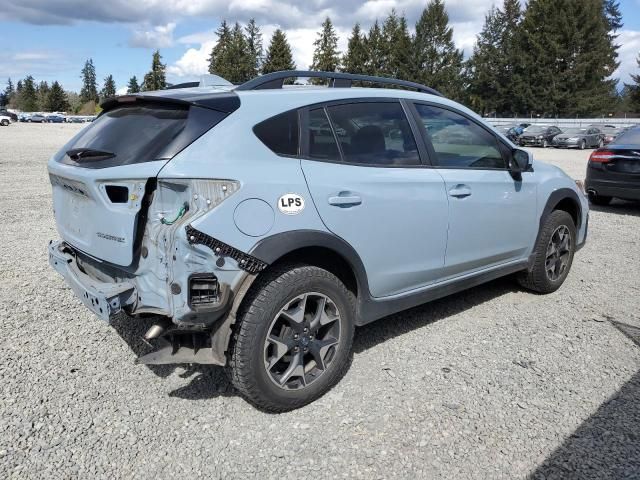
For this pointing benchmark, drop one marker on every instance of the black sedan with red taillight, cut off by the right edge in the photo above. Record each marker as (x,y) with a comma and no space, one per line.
(614,171)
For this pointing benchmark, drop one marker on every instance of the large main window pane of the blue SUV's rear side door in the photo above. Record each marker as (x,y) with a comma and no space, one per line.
(374,134)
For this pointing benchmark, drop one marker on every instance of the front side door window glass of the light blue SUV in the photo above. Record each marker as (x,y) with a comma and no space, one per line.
(458,142)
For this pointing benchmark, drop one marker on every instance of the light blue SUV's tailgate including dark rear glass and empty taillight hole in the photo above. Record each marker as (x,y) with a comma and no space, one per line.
(100,177)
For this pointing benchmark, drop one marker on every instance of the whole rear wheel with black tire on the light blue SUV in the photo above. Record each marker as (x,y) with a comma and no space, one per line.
(292,342)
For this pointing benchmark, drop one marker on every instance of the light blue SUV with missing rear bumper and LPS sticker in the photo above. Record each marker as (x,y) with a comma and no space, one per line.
(262,224)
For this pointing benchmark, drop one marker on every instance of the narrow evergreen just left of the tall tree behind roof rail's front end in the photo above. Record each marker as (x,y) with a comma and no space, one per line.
(396,47)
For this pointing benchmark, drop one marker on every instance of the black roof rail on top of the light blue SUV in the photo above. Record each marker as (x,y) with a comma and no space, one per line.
(276,80)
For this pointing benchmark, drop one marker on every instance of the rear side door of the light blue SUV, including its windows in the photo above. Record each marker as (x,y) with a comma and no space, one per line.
(365,175)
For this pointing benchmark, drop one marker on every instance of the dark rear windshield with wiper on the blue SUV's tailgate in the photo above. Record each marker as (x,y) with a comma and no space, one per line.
(138,132)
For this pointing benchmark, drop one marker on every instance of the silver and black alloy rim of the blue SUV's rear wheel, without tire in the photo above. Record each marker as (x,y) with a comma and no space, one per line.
(302,341)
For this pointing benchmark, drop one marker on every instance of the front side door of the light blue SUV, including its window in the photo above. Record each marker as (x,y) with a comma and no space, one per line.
(492,217)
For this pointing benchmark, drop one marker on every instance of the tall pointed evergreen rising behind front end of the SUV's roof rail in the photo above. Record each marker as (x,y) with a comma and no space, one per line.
(437,61)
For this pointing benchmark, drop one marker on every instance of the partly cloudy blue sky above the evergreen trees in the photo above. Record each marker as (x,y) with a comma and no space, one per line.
(51,39)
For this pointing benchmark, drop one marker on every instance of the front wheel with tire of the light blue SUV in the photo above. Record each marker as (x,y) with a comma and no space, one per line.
(553,254)
